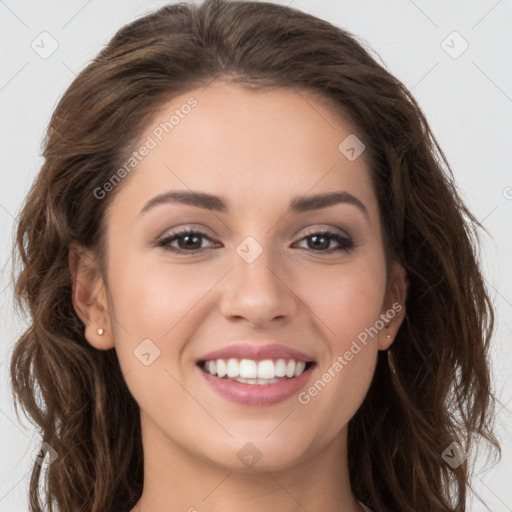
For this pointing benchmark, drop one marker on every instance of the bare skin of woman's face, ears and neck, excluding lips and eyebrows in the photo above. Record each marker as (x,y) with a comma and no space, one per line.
(258,149)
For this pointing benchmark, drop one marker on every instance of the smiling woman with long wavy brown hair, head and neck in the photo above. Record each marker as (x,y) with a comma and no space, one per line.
(252,283)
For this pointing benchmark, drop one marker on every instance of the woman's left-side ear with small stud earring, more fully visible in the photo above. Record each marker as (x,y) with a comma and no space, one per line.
(89,297)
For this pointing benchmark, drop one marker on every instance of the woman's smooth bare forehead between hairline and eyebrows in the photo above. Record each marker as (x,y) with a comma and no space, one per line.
(250,145)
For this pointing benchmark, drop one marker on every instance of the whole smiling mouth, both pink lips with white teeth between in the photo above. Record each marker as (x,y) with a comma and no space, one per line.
(256,374)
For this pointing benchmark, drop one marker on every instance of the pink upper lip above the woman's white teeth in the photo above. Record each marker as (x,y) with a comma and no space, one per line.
(256,352)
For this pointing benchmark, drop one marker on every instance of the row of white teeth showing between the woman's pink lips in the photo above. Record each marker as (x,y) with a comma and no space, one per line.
(255,372)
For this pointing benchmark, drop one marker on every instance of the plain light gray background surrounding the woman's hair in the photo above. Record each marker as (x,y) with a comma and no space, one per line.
(467,100)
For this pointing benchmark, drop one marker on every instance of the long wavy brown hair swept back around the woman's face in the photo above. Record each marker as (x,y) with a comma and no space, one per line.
(432,388)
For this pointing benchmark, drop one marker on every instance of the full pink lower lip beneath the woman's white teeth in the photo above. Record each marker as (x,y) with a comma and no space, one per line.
(257,394)
